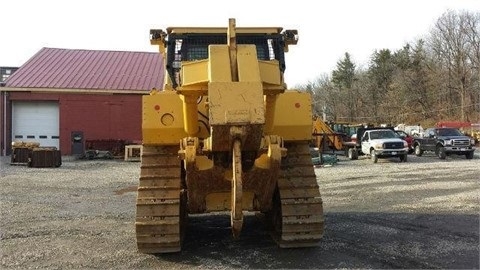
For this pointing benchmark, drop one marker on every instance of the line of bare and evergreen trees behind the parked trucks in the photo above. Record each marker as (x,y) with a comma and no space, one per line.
(429,80)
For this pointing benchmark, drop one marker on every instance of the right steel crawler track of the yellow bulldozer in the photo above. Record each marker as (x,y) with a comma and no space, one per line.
(297,214)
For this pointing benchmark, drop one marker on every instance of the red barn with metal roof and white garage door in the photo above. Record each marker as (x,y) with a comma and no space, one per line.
(68,98)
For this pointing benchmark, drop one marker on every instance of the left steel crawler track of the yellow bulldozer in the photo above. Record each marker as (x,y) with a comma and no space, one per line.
(161,213)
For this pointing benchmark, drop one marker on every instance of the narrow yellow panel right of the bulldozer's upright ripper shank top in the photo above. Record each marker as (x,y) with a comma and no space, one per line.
(247,63)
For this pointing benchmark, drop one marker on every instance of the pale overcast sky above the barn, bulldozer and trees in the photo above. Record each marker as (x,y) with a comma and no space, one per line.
(327,29)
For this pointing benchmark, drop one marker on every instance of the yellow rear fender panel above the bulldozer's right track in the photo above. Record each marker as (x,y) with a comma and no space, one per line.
(293,116)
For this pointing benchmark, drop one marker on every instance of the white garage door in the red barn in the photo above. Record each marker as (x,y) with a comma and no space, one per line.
(36,122)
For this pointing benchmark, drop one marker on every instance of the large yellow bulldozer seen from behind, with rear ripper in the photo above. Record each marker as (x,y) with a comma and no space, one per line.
(225,135)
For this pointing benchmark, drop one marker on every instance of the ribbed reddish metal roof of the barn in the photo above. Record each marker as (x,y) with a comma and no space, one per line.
(90,69)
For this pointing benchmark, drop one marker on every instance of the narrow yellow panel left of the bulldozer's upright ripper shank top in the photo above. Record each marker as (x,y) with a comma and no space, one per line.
(219,64)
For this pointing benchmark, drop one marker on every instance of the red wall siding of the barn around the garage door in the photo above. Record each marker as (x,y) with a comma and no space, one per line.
(100,117)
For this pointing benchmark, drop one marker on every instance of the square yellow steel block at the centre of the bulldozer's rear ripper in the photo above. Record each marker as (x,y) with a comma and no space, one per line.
(236,103)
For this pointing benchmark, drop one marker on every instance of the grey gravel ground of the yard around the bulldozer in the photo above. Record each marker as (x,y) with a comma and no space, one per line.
(419,214)
